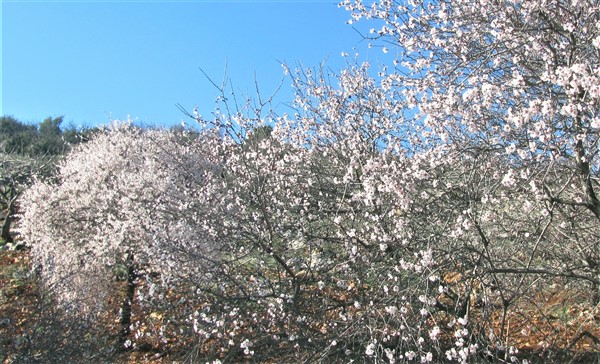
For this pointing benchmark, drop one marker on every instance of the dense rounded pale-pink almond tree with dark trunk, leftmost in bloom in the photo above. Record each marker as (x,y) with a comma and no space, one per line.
(123,201)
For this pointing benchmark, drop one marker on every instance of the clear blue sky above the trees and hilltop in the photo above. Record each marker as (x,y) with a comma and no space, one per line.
(93,61)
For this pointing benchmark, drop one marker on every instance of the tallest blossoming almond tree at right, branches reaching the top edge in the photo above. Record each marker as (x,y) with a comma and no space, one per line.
(508,93)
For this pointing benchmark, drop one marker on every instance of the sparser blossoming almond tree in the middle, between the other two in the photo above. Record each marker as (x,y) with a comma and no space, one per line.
(328,251)
